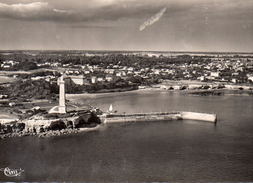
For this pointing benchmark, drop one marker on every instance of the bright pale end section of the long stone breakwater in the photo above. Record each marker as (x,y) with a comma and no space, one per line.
(199,116)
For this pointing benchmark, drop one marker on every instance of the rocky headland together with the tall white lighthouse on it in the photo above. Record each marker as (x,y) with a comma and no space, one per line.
(58,121)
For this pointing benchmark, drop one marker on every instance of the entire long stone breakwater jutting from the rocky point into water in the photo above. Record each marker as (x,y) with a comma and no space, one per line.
(156,116)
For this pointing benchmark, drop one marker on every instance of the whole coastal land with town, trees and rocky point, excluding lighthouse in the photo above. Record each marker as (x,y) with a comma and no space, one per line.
(29,78)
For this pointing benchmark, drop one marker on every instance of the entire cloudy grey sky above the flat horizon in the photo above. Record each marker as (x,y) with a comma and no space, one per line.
(137,25)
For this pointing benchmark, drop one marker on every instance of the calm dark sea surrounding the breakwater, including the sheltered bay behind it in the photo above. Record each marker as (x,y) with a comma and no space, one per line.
(147,151)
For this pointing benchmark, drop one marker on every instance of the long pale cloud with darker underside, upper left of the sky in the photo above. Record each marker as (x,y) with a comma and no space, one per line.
(77,11)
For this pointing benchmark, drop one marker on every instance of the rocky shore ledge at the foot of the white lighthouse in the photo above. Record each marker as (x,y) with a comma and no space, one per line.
(49,125)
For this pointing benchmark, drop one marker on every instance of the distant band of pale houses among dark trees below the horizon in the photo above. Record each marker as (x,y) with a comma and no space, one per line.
(141,68)
